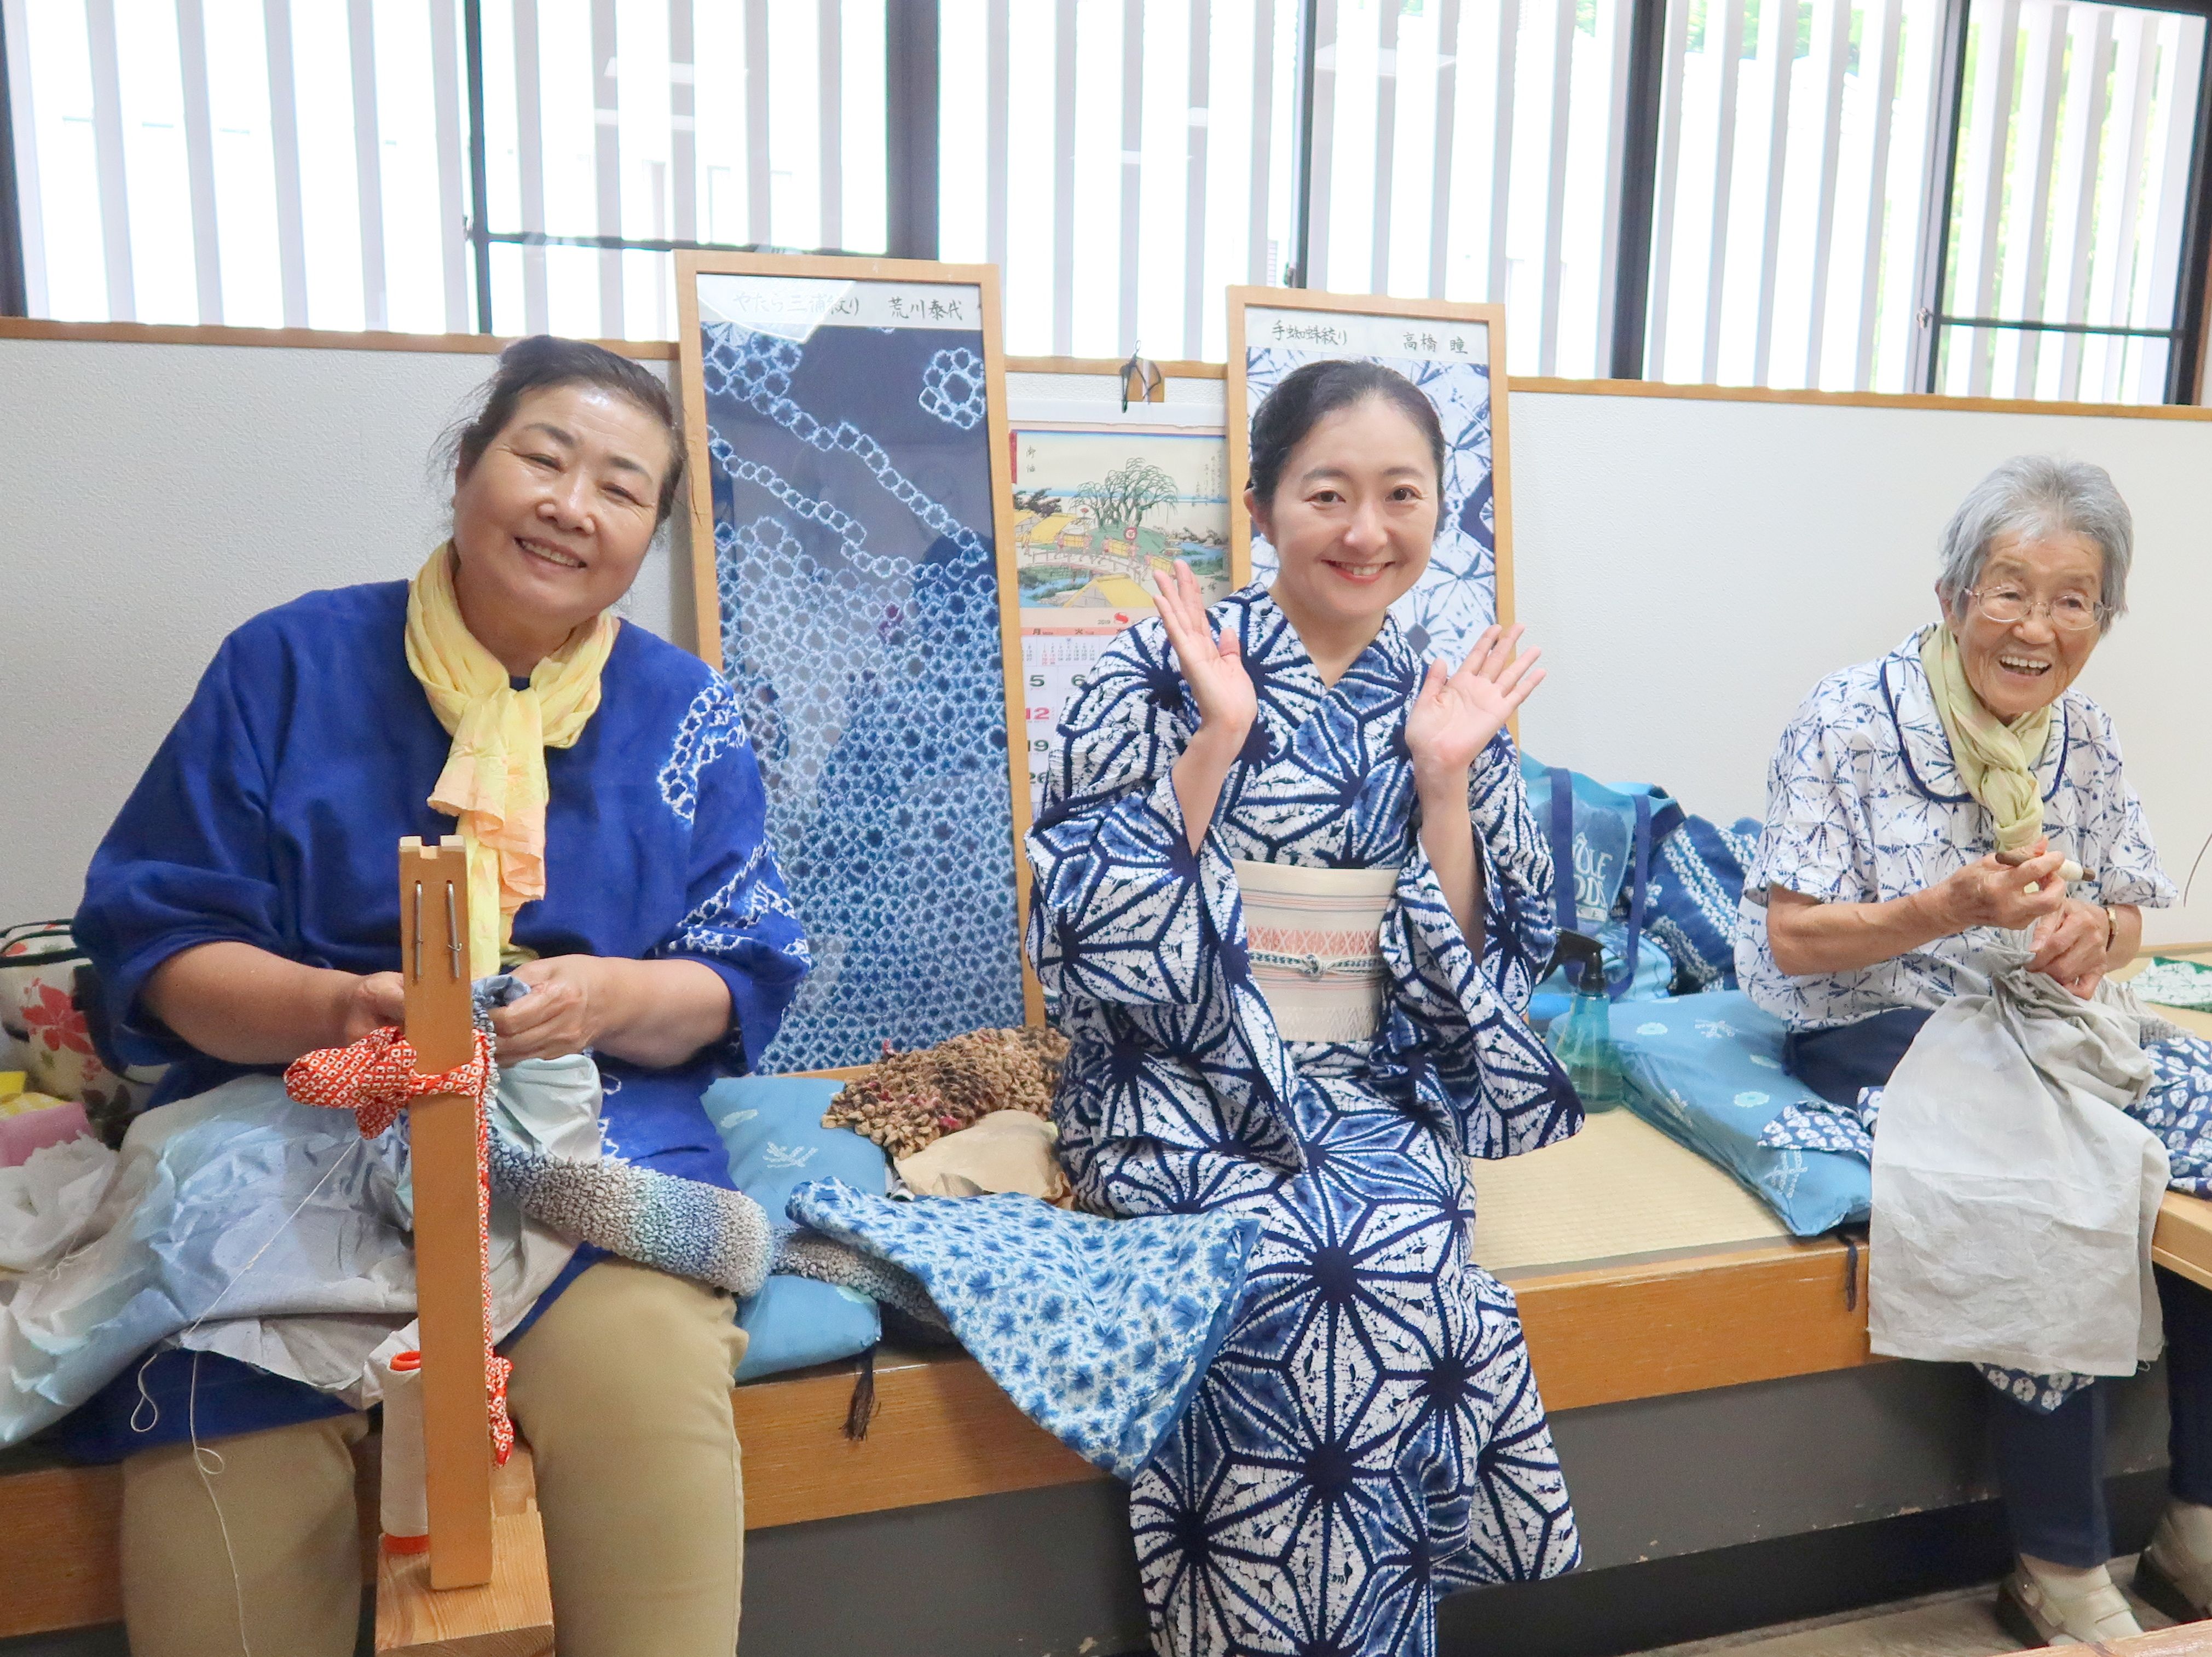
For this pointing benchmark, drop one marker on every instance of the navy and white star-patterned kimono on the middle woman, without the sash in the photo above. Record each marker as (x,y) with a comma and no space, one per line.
(1368,1435)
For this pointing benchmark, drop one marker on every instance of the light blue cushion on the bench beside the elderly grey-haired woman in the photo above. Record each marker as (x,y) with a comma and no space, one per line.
(1709,1072)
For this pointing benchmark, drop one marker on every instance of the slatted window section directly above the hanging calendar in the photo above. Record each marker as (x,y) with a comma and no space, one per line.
(1120,163)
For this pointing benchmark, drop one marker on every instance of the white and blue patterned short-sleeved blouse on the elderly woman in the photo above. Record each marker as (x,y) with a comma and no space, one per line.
(1866,806)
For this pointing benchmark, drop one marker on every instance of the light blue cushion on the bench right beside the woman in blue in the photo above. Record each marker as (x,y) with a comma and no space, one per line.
(773,1129)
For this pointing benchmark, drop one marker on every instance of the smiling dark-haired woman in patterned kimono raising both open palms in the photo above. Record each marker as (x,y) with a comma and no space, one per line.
(1288,910)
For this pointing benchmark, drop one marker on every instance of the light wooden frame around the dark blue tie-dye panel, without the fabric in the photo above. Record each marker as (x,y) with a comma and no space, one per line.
(700,486)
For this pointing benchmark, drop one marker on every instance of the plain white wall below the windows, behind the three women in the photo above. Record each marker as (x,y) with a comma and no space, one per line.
(1691,567)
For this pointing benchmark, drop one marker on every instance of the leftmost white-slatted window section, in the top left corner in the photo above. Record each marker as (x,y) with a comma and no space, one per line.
(240,163)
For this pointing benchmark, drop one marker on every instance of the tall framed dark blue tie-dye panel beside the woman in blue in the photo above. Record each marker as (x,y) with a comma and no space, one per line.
(855,583)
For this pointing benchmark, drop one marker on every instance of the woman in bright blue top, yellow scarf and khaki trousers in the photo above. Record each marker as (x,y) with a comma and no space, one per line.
(244,913)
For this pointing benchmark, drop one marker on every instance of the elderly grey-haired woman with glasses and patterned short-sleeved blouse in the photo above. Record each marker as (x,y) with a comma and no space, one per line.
(1879,895)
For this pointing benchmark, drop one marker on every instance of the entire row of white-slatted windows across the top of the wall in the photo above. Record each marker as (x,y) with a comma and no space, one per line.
(1992,198)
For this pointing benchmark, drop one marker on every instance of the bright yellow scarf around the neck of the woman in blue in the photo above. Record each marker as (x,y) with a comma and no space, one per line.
(494,778)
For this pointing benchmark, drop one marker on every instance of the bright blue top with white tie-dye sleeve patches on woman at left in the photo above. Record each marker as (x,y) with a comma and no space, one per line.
(275,809)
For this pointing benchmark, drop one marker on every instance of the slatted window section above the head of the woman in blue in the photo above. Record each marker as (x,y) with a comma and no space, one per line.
(598,136)
